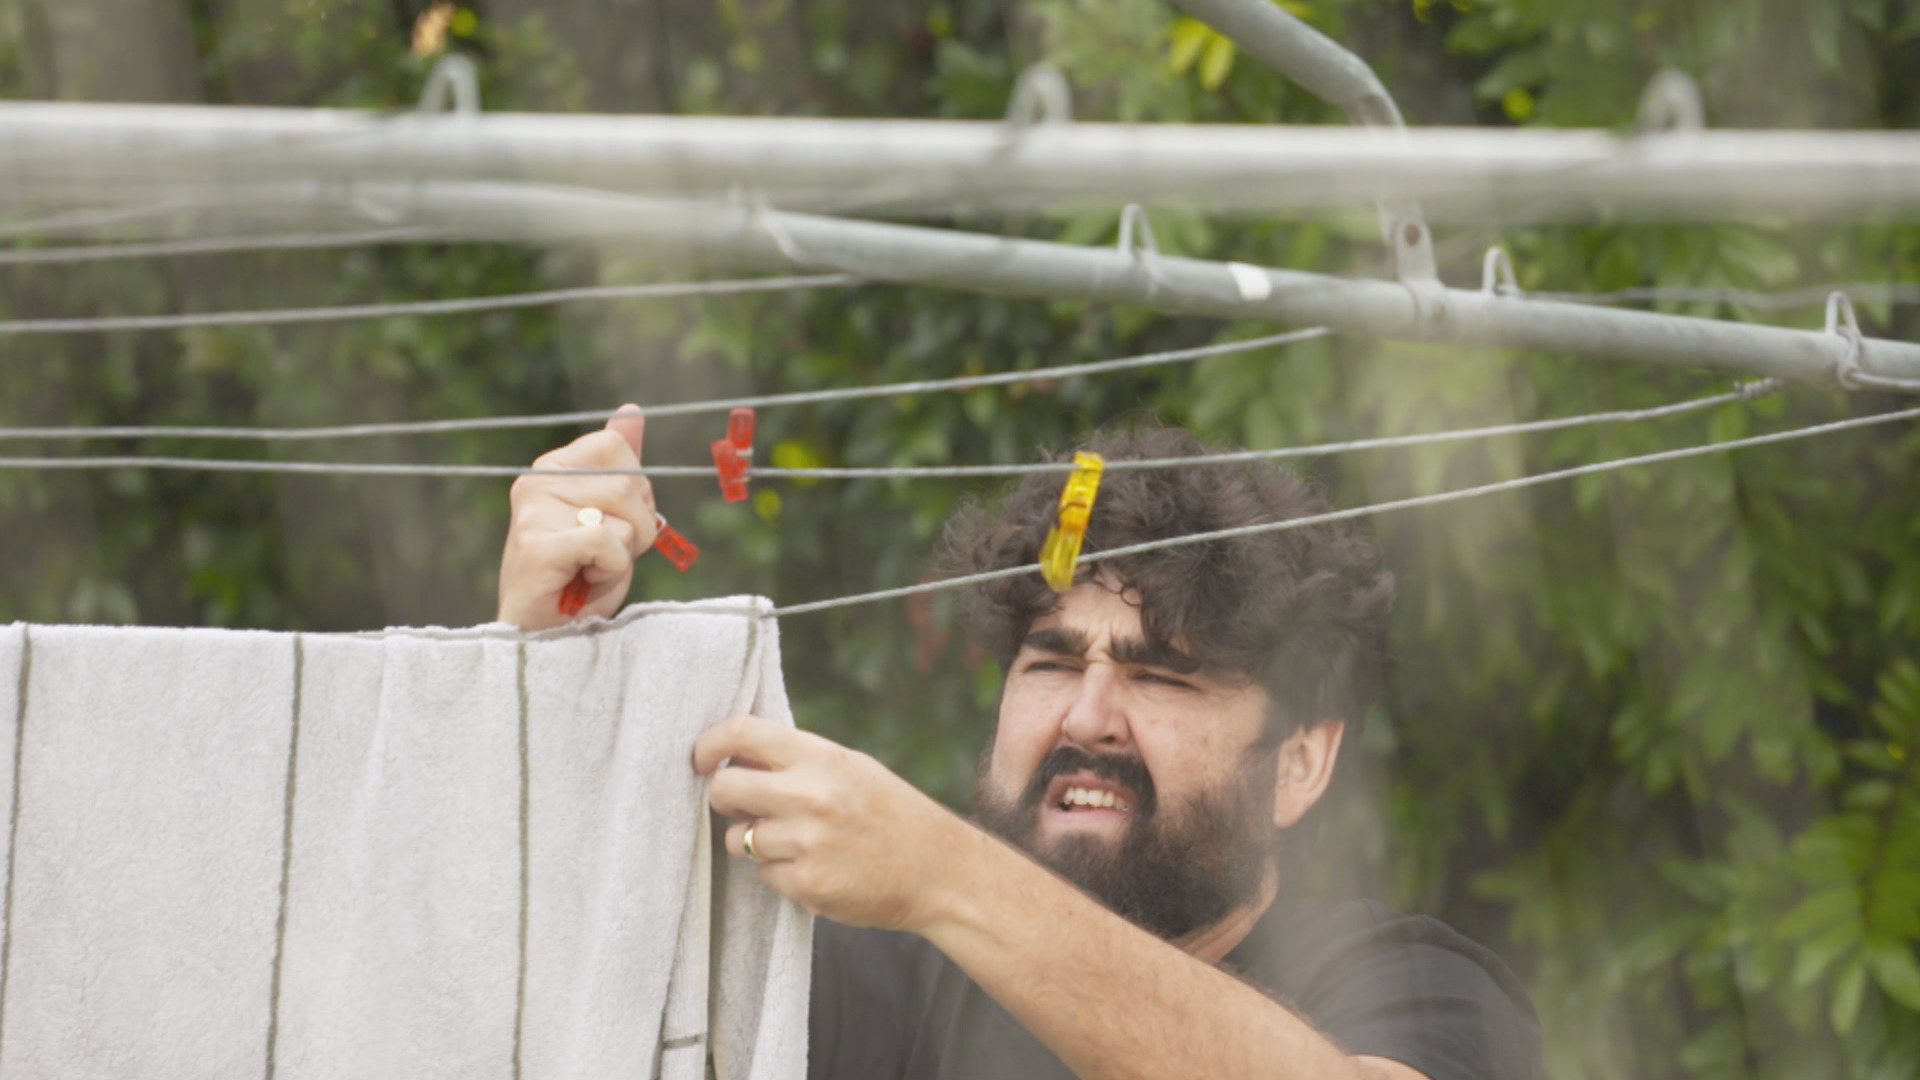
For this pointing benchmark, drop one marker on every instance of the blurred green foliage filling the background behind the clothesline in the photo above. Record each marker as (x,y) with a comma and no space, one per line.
(1654,733)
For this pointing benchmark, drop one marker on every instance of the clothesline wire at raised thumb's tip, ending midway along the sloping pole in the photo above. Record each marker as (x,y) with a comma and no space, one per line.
(675,410)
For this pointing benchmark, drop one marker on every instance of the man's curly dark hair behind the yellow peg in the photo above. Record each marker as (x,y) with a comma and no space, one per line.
(1305,612)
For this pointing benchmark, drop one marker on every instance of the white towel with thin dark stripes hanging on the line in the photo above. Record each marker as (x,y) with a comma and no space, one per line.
(410,854)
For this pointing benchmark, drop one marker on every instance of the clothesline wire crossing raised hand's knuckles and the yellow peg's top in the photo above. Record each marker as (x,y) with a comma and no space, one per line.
(903,472)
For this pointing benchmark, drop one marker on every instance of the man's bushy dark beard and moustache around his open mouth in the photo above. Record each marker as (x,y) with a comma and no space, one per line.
(1168,875)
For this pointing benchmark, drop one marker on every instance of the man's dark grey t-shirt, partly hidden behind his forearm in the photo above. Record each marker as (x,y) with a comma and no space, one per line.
(1378,983)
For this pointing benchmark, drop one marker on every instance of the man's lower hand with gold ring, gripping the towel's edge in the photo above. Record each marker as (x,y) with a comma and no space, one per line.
(834,829)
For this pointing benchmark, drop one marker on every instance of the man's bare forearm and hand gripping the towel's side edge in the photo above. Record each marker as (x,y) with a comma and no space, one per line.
(850,841)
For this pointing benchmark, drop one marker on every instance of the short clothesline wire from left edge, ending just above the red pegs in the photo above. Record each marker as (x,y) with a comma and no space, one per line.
(468,305)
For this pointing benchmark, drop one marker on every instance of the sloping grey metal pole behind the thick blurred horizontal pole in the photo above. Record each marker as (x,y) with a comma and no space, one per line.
(1176,285)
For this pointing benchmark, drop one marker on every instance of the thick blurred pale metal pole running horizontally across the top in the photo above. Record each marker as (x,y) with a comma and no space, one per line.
(76,155)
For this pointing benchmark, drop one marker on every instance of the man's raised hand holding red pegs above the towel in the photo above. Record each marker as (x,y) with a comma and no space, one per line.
(546,543)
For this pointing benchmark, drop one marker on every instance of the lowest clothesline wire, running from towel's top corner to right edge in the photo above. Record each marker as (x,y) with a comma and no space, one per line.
(1414,503)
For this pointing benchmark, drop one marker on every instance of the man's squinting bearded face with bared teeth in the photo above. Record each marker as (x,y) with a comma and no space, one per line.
(1126,772)
